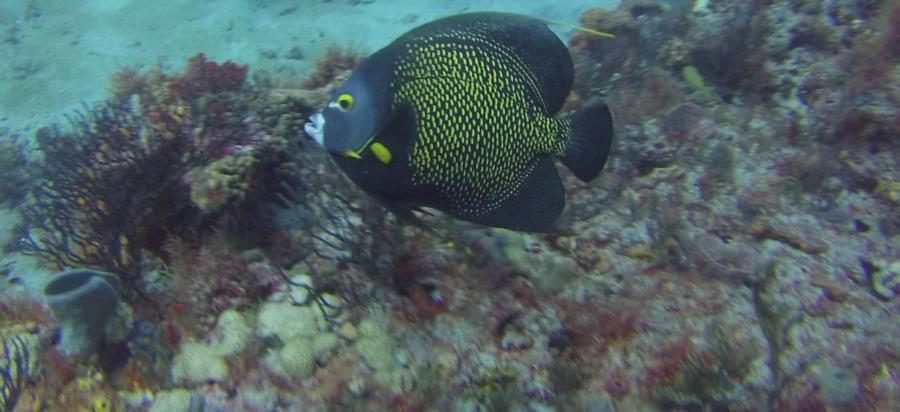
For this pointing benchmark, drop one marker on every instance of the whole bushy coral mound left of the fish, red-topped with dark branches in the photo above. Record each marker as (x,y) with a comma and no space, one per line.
(187,148)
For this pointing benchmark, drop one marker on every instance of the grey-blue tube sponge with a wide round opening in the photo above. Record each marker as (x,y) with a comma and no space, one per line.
(82,301)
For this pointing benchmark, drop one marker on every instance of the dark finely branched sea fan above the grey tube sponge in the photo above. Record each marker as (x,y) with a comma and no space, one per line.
(99,184)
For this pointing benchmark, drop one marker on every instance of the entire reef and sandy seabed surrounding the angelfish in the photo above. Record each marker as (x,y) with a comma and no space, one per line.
(172,241)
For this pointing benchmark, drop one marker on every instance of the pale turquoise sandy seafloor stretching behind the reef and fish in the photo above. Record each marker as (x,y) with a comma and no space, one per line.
(56,54)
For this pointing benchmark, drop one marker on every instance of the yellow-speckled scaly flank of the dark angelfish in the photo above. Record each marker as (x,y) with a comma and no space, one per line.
(482,119)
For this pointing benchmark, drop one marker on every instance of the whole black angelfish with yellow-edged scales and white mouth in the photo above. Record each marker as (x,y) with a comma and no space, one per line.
(458,115)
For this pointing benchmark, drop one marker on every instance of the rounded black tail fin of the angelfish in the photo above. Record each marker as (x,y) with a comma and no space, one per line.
(590,141)
